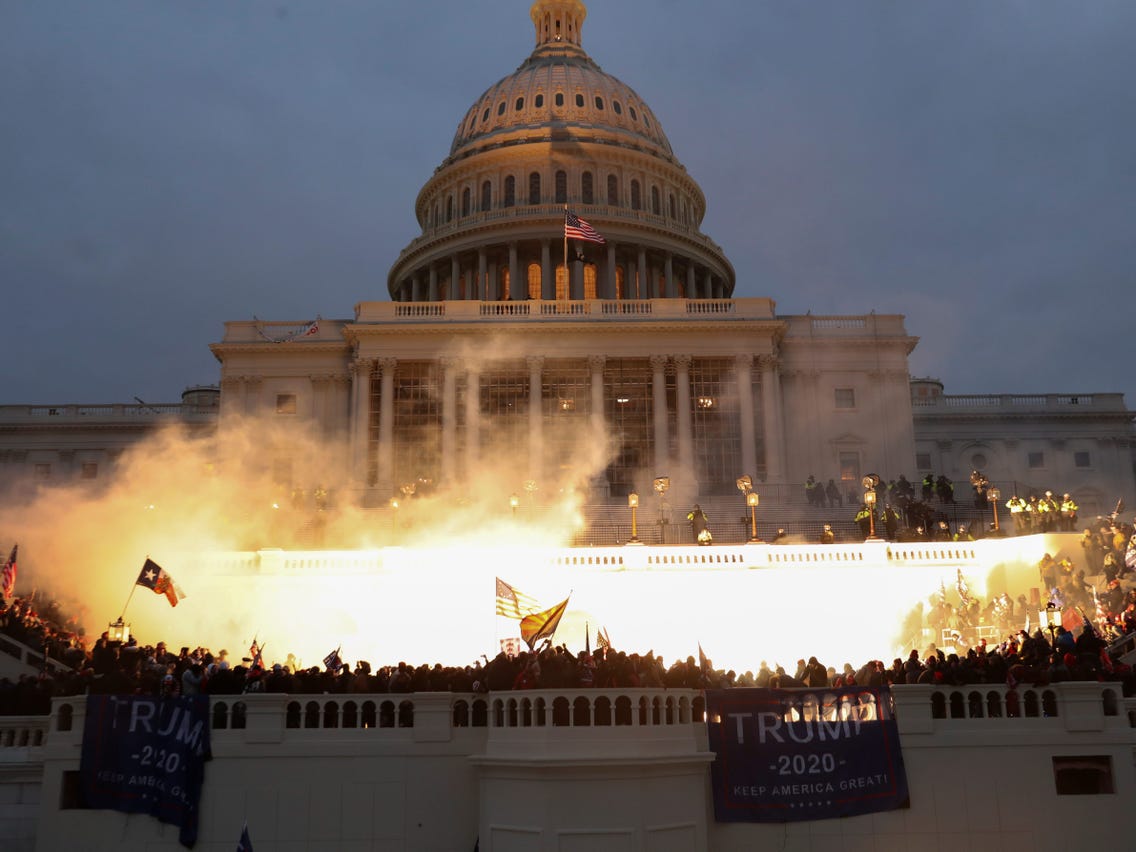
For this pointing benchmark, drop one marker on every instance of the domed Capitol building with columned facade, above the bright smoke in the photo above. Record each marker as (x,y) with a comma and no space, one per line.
(503,339)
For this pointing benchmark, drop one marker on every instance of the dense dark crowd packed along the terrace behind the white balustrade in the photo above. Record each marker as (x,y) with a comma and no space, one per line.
(1074,649)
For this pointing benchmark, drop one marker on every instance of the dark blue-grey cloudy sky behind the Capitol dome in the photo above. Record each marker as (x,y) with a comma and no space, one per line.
(168,165)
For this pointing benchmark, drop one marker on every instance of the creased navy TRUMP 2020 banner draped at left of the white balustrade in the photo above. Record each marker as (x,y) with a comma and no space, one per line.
(145,755)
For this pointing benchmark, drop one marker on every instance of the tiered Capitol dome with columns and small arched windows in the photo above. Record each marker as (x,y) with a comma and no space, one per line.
(559,135)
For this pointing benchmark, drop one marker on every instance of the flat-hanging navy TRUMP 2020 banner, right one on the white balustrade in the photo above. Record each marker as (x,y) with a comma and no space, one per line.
(793,755)
